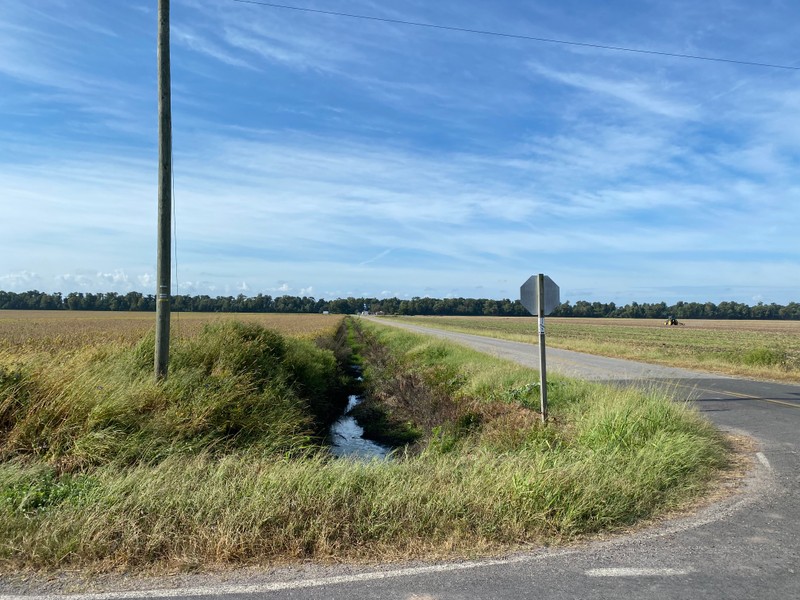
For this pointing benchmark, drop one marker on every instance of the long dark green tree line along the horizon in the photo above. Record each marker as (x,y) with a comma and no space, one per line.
(136,301)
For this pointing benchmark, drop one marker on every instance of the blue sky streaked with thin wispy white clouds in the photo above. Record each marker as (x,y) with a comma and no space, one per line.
(329,156)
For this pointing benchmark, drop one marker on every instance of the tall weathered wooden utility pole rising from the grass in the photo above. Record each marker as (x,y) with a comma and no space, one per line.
(164,193)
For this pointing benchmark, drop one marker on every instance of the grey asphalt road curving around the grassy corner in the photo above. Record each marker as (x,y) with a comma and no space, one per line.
(746,547)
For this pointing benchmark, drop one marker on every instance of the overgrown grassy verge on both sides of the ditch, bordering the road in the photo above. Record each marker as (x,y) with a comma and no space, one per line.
(104,469)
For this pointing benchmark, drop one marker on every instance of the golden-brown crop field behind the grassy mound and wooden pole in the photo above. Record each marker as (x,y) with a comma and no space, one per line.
(48,330)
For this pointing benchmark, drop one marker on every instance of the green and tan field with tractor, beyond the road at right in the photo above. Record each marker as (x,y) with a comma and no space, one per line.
(759,349)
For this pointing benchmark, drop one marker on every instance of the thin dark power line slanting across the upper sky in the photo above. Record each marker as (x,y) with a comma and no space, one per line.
(522,37)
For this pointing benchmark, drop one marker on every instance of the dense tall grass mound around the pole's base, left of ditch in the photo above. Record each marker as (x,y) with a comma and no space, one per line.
(234,386)
